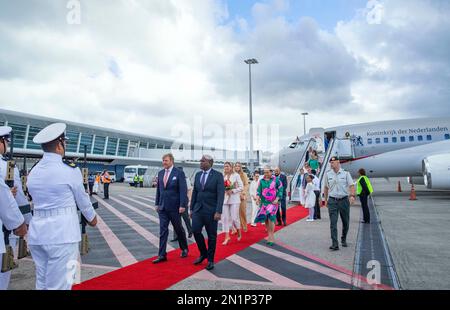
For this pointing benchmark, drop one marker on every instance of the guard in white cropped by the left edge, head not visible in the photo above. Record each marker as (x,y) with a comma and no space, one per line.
(12,219)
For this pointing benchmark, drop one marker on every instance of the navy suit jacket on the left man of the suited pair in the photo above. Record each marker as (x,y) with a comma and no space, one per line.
(174,196)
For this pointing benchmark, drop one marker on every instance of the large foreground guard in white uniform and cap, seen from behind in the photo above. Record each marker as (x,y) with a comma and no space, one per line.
(54,233)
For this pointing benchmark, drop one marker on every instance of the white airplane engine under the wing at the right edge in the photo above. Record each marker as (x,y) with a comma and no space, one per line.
(436,171)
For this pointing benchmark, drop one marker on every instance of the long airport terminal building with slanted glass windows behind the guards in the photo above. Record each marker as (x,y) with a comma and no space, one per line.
(106,148)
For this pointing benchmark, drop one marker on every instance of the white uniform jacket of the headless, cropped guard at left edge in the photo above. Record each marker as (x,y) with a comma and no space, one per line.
(10,215)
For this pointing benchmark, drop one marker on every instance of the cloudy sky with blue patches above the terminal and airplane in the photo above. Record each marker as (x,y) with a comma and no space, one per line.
(150,65)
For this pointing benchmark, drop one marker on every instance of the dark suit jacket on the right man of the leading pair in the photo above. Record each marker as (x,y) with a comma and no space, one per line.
(209,199)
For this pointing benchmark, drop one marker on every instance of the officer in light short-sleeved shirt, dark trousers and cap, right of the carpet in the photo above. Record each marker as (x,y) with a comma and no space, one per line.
(339,195)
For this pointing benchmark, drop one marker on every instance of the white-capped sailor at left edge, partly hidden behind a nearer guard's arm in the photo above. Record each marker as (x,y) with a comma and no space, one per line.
(19,195)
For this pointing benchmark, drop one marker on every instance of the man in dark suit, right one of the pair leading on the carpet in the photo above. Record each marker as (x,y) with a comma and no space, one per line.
(206,208)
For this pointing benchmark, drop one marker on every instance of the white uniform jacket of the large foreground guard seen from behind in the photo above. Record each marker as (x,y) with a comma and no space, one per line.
(57,190)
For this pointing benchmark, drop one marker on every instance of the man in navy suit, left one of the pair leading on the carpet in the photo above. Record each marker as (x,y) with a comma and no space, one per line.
(171,201)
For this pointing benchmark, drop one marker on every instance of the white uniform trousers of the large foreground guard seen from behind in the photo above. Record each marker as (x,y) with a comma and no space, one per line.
(56,265)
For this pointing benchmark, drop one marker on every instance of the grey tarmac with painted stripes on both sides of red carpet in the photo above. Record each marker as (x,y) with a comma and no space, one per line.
(409,239)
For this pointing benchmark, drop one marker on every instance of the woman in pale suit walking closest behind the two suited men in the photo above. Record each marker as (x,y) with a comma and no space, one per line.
(231,203)
